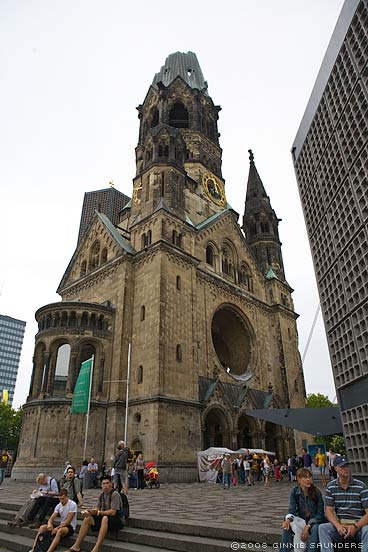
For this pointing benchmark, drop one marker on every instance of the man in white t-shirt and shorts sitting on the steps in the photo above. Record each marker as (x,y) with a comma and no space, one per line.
(67,510)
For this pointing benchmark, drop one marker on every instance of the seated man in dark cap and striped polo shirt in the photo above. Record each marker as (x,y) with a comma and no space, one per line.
(346,509)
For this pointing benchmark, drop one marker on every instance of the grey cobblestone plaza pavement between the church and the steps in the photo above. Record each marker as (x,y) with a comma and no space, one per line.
(249,508)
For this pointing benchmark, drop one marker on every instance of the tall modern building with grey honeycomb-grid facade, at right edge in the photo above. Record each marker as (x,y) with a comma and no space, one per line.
(330,155)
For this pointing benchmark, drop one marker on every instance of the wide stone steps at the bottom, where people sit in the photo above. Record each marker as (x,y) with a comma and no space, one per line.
(144,534)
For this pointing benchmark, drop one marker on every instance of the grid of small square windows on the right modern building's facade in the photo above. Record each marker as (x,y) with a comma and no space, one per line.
(348,341)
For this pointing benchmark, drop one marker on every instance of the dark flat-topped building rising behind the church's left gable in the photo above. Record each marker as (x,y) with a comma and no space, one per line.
(108,201)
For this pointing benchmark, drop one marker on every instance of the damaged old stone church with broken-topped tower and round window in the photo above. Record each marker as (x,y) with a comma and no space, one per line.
(203,302)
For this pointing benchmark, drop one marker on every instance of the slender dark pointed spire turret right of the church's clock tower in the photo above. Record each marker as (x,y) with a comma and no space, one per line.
(260,225)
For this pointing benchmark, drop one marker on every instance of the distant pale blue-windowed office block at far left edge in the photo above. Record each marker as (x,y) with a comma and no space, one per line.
(11,341)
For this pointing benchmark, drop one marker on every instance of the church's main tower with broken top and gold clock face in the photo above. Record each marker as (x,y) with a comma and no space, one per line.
(178,156)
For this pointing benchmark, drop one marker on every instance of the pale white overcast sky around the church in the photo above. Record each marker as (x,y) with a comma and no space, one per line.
(72,74)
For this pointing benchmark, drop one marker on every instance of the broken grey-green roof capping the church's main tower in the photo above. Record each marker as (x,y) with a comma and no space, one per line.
(184,65)
